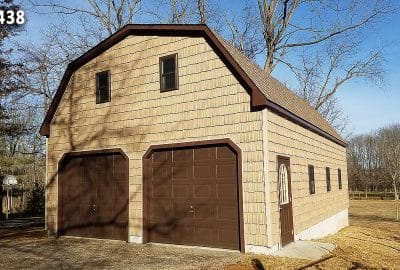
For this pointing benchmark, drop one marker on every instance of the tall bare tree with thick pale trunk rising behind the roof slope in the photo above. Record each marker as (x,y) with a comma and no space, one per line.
(325,20)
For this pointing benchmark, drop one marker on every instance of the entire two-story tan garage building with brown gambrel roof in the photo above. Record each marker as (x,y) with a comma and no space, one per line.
(167,134)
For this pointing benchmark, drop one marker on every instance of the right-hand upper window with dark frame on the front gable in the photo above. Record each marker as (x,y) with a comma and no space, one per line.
(169,72)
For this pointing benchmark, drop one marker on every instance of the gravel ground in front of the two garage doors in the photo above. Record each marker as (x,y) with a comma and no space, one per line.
(29,248)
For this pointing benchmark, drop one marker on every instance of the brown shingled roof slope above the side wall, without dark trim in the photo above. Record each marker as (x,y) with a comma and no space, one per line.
(277,93)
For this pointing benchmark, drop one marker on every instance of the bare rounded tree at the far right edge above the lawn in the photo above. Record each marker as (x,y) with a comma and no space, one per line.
(389,152)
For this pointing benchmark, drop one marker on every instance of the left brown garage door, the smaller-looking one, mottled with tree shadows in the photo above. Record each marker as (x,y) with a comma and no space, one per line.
(94,196)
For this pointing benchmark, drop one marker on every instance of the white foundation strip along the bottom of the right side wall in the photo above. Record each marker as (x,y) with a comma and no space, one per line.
(328,226)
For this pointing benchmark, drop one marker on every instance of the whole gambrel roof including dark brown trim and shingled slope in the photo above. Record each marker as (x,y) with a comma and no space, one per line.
(264,90)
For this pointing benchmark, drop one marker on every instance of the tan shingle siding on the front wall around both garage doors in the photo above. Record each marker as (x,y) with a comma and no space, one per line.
(209,104)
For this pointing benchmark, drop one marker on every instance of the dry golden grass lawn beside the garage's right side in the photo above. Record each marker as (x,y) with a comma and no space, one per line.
(372,241)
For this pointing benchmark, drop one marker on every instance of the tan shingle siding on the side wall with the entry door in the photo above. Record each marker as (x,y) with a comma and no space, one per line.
(305,147)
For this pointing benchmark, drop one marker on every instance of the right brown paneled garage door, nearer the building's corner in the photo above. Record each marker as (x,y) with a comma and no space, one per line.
(192,197)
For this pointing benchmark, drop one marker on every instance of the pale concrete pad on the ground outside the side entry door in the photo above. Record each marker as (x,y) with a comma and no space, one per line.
(305,250)
